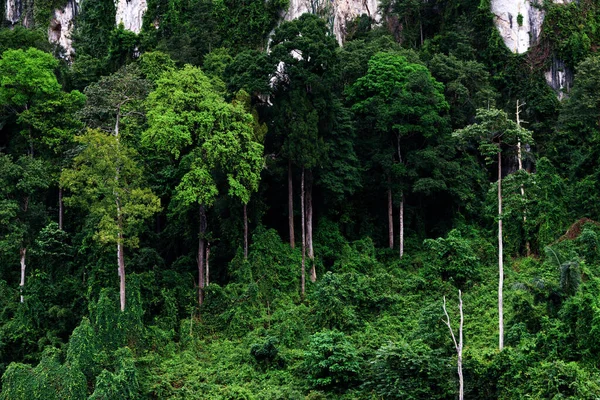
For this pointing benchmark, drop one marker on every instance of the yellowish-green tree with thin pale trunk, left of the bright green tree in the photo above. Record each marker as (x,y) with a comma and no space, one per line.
(106,181)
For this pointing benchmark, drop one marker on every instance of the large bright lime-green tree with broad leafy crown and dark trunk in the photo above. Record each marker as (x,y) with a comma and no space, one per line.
(188,119)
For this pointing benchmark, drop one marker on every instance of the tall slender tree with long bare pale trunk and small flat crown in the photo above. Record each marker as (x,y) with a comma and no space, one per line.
(493,131)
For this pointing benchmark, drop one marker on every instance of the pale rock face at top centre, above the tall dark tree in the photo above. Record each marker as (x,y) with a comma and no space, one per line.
(337,12)
